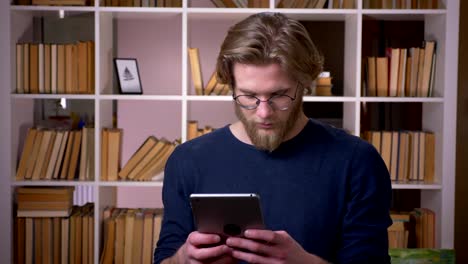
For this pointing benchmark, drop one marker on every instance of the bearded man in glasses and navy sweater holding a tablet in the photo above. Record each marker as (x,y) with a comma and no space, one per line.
(325,194)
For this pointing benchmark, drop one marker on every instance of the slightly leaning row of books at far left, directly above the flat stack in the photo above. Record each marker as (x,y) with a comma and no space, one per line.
(57,154)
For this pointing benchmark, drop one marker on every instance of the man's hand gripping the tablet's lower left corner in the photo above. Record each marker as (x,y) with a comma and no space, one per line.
(202,248)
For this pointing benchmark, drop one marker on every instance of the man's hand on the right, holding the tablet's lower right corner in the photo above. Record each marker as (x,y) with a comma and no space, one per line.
(270,247)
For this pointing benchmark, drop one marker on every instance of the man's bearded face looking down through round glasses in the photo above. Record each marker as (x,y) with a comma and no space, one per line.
(266,126)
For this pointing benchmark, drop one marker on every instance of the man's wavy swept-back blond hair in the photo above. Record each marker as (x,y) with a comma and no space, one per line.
(266,38)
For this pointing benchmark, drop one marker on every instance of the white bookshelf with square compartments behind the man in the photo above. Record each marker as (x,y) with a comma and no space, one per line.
(169,102)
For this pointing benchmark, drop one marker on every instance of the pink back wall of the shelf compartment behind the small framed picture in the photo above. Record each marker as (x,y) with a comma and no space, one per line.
(157,46)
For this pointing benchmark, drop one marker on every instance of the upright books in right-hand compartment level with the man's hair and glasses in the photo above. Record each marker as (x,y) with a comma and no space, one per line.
(402,72)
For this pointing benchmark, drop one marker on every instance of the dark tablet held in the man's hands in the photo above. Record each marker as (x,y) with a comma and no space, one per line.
(226,214)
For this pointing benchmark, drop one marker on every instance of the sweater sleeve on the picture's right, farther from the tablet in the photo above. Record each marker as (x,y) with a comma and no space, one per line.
(367,210)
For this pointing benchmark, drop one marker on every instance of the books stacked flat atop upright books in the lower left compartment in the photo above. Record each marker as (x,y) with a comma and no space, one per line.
(44,202)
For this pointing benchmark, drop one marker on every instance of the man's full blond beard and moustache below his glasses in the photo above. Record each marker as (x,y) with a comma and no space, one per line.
(281,128)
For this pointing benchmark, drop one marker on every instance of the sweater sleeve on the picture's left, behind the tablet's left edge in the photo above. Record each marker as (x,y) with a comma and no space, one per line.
(177,220)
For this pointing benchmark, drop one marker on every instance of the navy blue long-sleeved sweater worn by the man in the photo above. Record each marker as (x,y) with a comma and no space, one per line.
(329,190)
